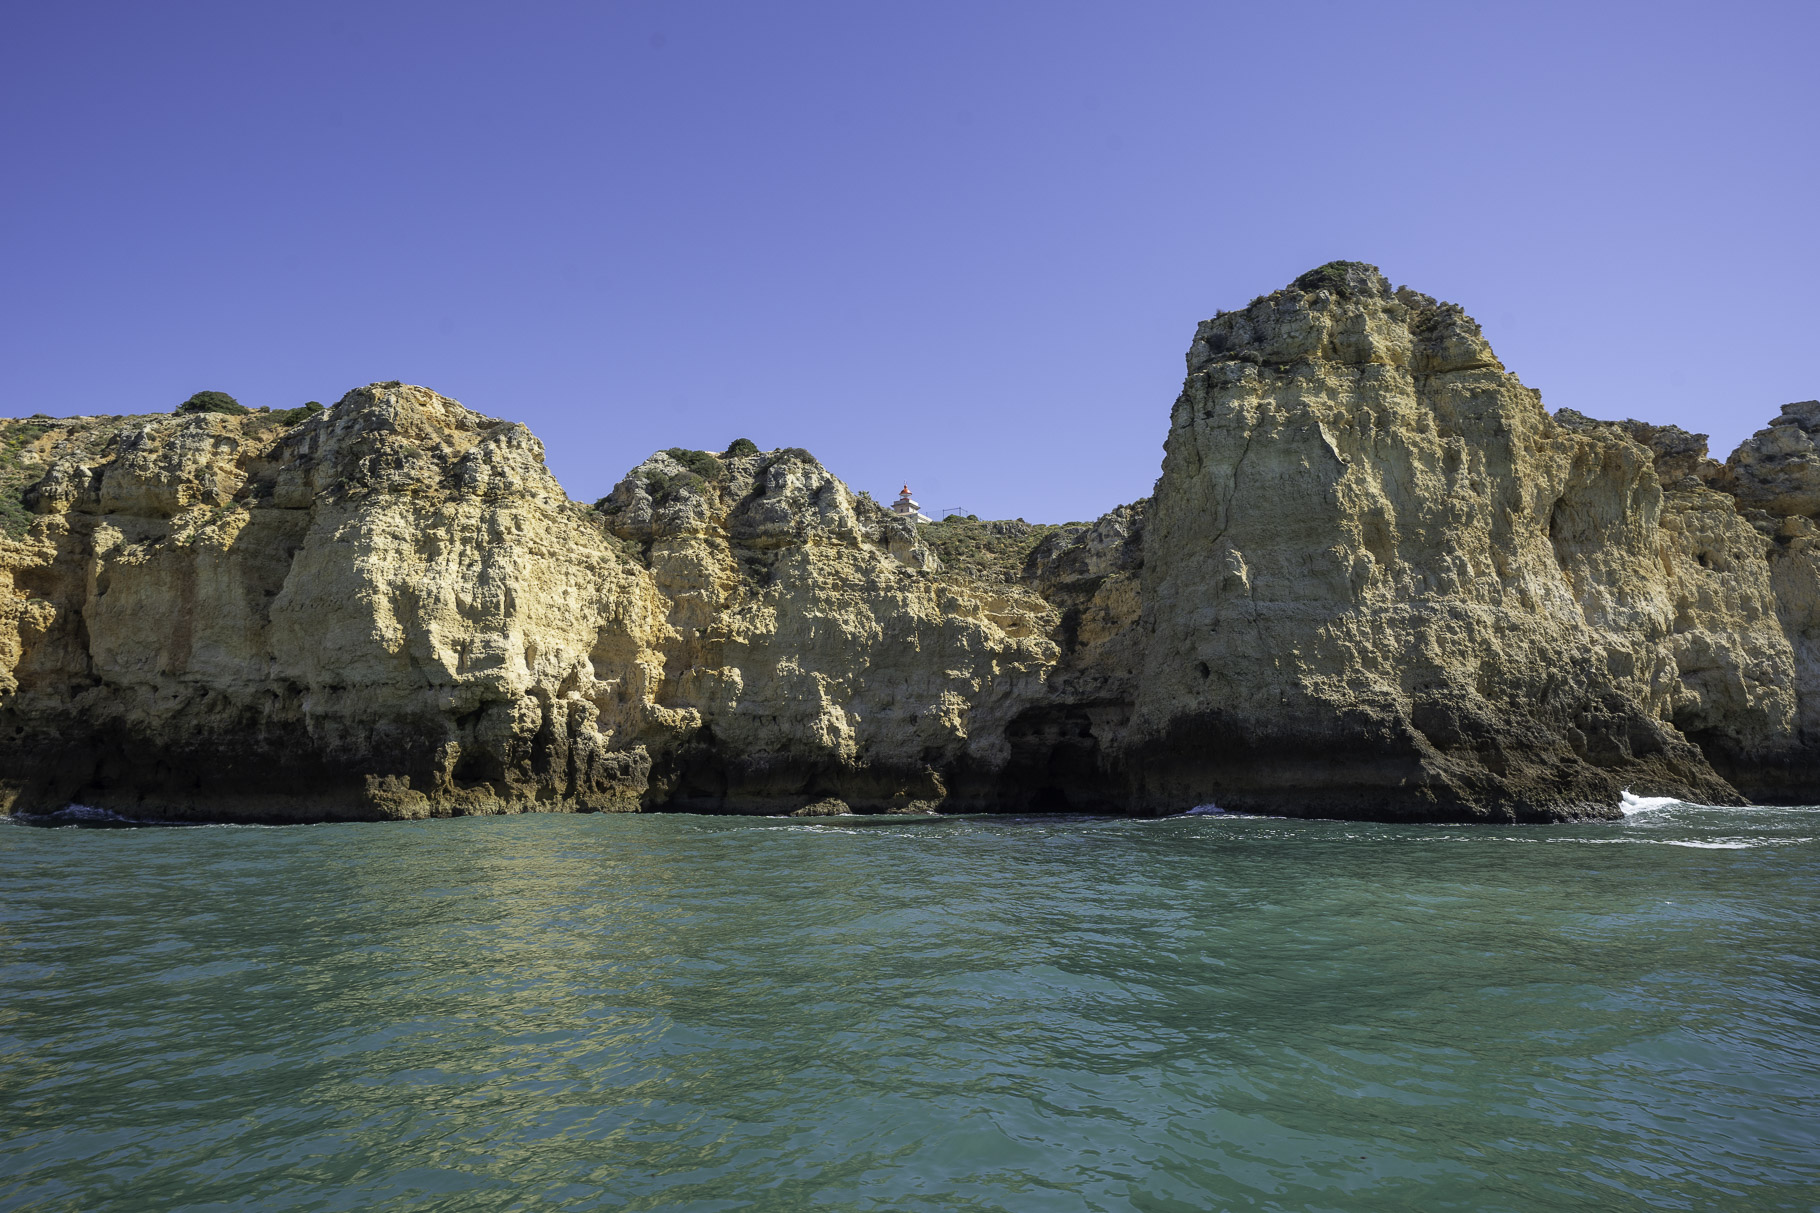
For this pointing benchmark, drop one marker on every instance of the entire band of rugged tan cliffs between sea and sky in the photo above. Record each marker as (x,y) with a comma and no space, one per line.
(1377,578)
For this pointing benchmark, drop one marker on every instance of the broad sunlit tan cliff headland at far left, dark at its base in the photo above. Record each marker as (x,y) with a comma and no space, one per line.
(369,615)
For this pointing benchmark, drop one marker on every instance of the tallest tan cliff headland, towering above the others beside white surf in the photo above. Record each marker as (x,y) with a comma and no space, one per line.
(1380,580)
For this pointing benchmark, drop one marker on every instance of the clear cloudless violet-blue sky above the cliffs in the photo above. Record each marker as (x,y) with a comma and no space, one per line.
(962,245)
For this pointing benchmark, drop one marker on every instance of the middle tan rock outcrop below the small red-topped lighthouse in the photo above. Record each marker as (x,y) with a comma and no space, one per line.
(814,646)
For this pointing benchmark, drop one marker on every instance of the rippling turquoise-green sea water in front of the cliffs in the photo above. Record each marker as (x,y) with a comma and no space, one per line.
(867,1014)
